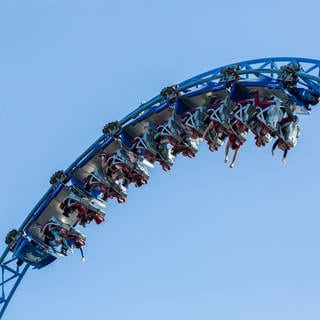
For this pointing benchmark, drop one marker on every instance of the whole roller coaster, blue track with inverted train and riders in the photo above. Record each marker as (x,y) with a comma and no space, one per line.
(222,106)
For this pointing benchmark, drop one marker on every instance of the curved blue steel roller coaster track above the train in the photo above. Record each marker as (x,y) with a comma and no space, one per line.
(264,68)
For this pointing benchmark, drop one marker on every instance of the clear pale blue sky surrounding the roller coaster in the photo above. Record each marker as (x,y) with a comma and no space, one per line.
(200,242)
